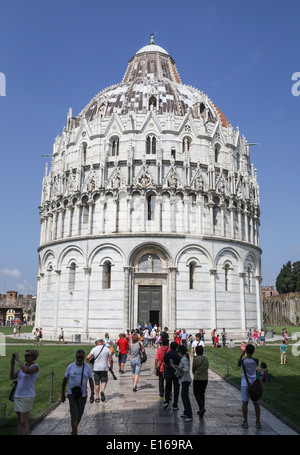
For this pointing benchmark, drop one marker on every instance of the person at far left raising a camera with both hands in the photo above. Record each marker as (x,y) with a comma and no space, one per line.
(25,391)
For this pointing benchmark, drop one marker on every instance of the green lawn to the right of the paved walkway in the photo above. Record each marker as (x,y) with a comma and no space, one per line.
(284,396)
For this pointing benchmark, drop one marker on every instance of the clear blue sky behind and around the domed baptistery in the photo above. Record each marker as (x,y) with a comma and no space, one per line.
(60,54)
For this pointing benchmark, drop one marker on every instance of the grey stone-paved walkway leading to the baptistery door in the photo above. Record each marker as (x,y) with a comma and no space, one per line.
(125,412)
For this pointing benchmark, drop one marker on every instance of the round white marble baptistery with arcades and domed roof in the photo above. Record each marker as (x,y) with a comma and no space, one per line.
(149,212)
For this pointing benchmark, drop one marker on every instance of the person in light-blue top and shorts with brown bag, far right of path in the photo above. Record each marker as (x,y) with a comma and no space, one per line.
(249,368)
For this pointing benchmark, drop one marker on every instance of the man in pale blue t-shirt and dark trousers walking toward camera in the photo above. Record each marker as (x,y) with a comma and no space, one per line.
(78,374)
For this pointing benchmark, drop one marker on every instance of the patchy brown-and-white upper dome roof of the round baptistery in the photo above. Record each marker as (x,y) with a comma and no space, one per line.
(151,74)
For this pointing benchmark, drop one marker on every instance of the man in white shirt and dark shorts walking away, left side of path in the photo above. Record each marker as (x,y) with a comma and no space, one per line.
(101,355)
